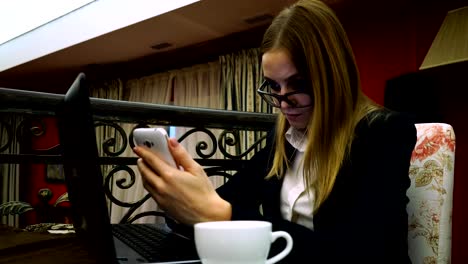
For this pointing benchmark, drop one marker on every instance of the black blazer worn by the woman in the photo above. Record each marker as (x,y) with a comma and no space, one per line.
(364,219)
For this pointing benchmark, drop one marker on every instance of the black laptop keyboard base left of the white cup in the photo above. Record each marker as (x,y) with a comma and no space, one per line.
(155,243)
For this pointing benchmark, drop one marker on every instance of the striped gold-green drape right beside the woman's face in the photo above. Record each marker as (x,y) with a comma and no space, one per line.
(241,75)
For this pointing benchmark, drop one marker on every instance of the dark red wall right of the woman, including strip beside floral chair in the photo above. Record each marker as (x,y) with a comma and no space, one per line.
(387,45)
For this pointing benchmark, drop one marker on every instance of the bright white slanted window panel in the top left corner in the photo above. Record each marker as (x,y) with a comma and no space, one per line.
(41,32)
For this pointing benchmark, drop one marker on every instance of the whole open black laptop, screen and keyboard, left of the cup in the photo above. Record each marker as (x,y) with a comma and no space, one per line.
(108,243)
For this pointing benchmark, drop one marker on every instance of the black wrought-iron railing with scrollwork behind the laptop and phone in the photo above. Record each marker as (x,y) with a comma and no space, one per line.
(111,114)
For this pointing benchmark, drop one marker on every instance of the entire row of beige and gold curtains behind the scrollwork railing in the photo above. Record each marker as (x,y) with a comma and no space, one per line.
(229,83)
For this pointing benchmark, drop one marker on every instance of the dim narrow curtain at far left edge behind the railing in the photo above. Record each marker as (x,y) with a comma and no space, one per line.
(9,173)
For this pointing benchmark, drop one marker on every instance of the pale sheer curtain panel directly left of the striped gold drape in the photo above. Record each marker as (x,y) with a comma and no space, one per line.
(199,86)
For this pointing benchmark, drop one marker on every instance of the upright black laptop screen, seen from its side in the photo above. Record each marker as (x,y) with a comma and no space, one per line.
(82,171)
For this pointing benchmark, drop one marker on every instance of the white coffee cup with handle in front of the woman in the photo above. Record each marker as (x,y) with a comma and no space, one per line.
(232,242)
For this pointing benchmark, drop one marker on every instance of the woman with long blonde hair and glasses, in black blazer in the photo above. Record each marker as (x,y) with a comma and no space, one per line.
(335,172)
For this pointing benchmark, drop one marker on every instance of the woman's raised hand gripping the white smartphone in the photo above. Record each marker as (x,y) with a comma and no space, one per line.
(187,196)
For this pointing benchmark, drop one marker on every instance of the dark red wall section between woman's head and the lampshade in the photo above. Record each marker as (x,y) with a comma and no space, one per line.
(387,46)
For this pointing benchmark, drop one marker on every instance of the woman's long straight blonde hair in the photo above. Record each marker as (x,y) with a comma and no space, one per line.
(319,48)
